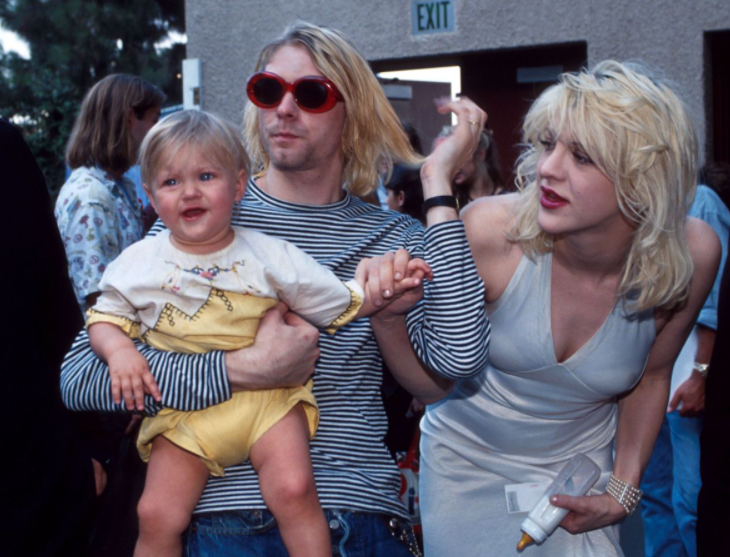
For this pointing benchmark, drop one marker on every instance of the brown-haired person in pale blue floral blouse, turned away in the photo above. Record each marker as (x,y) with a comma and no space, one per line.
(97,210)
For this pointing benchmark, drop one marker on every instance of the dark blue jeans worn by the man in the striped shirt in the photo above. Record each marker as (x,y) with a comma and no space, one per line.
(255,533)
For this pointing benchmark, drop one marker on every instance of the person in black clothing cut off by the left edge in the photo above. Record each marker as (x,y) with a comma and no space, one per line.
(50,491)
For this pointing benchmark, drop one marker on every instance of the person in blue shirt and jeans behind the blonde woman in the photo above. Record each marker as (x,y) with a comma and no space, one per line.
(671,483)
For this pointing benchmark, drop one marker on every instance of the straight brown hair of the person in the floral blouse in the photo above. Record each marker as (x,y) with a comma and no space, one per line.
(101,134)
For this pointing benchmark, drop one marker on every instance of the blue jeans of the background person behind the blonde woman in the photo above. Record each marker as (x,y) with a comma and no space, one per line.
(671,485)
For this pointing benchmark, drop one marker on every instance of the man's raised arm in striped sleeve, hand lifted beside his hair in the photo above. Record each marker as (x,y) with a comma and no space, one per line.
(449,330)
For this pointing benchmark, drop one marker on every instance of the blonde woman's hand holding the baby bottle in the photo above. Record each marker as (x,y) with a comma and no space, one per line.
(590,512)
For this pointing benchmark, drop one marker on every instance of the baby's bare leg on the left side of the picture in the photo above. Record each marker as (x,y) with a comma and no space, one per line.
(174,484)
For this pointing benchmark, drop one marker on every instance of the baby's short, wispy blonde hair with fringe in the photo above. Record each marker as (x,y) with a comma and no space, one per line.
(213,136)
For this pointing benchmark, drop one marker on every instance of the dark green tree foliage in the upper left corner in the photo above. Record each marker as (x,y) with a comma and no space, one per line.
(73,44)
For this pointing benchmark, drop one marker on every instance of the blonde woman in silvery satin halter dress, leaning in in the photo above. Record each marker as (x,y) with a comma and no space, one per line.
(593,279)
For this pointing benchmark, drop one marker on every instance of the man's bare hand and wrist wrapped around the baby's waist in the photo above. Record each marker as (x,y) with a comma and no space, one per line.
(283,354)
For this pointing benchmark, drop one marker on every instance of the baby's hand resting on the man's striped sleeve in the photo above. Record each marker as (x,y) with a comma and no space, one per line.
(131,378)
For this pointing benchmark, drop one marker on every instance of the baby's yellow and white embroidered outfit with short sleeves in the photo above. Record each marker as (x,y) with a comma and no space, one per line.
(197,303)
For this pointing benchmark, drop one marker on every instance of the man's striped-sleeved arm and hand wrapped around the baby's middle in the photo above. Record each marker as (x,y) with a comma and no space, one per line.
(283,354)
